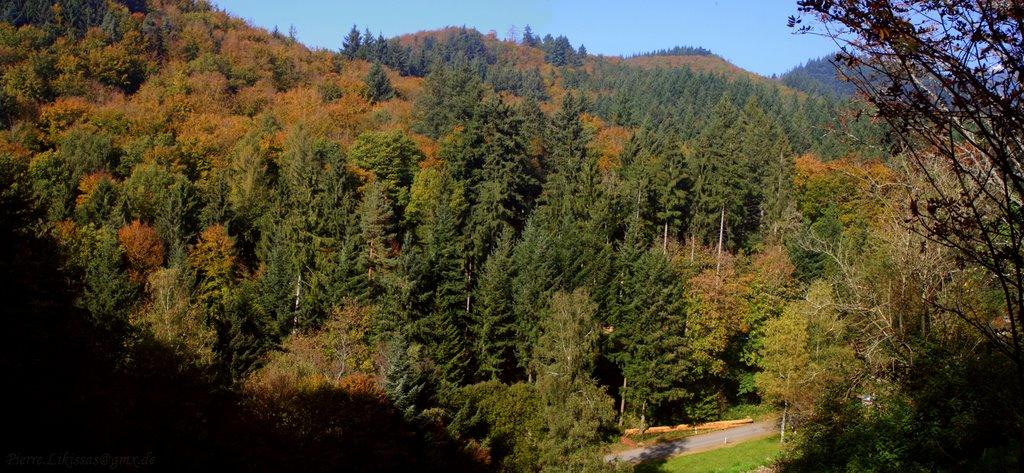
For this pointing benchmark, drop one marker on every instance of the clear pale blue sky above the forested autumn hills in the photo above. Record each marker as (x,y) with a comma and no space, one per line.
(751,34)
